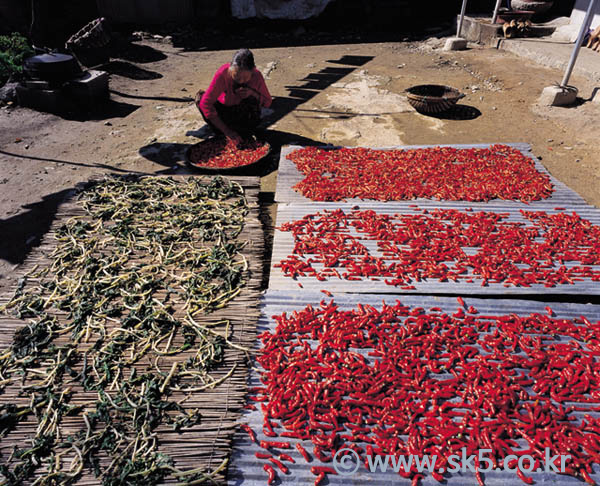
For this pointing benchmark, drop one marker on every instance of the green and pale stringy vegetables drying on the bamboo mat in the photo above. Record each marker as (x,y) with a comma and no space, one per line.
(117,315)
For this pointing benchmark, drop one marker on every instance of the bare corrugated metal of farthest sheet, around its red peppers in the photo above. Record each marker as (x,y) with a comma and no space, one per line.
(288,176)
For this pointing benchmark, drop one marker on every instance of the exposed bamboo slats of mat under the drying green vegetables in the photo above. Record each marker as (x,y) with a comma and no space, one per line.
(208,443)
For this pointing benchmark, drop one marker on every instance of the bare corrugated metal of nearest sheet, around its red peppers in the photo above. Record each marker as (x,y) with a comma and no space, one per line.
(246,470)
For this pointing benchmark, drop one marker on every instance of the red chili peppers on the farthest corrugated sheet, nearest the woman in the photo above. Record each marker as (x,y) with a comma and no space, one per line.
(473,174)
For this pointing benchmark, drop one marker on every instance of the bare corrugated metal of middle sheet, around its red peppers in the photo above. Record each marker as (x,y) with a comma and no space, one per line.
(283,245)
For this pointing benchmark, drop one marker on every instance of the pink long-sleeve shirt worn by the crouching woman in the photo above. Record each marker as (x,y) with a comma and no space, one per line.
(221,89)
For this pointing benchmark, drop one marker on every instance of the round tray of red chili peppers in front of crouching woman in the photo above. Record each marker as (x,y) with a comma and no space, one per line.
(217,155)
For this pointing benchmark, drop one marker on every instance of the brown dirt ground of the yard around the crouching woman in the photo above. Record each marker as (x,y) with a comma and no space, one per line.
(342,94)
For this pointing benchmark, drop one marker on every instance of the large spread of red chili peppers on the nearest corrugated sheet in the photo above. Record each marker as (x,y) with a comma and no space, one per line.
(401,380)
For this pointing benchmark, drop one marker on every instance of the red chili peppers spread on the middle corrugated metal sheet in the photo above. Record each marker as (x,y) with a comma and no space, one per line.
(548,249)
